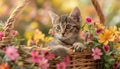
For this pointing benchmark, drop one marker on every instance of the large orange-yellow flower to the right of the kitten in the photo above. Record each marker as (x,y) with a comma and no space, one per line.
(106,36)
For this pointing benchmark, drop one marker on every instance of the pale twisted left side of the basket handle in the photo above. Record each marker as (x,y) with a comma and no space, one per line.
(11,20)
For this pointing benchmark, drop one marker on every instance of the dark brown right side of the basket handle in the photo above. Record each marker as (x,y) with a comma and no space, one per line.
(99,11)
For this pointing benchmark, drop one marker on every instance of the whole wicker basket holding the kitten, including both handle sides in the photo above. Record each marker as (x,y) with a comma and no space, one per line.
(79,60)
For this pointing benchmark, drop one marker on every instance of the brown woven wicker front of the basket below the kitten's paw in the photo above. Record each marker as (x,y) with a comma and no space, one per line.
(80,60)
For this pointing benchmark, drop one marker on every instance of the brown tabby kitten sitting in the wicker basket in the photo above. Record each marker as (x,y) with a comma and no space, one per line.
(66,28)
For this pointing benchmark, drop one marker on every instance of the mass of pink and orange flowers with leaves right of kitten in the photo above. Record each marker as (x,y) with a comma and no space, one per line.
(104,42)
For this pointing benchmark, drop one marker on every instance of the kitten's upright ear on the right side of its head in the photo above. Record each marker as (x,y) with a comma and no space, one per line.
(75,14)
